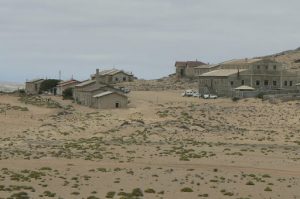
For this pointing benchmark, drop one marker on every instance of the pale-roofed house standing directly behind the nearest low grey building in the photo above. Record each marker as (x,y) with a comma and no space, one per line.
(113,76)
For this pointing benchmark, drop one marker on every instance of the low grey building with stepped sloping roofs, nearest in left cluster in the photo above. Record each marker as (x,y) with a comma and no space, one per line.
(88,93)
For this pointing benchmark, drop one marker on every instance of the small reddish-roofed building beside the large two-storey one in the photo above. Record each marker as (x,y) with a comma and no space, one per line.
(187,69)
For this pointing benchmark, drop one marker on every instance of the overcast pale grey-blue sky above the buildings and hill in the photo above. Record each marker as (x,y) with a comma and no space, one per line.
(39,38)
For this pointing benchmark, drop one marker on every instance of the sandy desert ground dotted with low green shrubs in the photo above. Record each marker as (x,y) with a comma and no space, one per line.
(163,146)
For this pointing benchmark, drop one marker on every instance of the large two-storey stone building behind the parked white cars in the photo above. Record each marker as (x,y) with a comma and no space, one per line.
(262,75)
